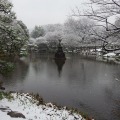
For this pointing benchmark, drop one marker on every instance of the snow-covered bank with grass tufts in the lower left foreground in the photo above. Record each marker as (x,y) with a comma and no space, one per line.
(31,108)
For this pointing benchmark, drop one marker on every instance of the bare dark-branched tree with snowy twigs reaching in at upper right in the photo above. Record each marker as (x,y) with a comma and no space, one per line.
(102,11)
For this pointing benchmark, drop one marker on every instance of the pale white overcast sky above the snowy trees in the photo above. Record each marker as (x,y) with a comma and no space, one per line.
(41,12)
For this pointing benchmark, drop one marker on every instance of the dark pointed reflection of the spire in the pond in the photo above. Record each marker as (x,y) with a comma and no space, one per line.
(60,63)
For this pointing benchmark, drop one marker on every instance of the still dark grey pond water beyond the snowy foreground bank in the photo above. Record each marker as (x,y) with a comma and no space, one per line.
(90,86)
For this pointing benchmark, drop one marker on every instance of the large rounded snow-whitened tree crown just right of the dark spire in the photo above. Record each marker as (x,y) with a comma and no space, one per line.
(81,28)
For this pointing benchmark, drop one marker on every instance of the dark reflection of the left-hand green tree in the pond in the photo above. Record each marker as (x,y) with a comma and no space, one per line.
(18,76)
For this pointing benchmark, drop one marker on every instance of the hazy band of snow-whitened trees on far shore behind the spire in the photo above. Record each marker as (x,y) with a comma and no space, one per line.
(73,33)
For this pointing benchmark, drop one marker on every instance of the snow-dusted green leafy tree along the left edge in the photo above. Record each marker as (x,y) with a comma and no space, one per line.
(13,33)
